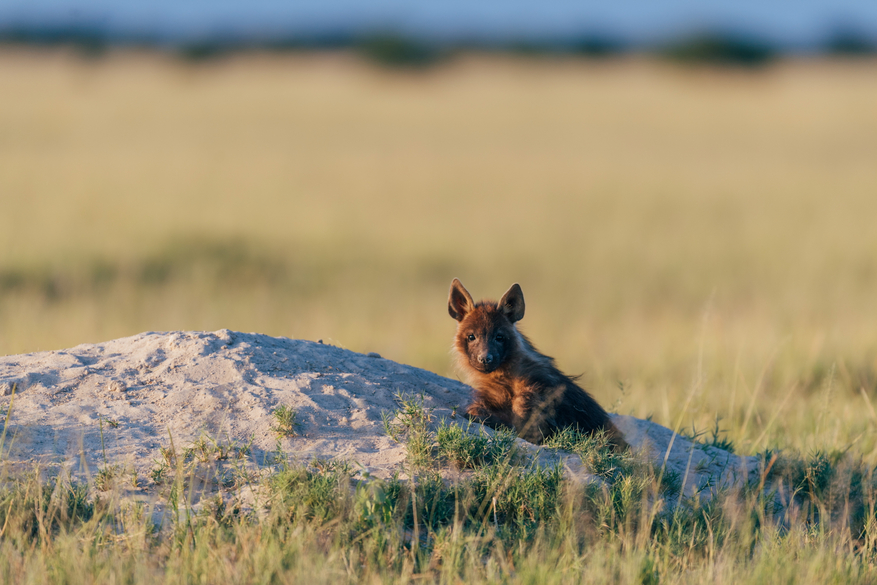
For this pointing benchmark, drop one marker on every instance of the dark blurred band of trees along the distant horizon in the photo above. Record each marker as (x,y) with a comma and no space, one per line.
(391,48)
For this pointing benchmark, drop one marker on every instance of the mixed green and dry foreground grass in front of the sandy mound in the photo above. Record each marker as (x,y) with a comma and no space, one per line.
(502,518)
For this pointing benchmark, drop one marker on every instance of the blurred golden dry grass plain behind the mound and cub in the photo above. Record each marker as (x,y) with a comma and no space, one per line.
(686,232)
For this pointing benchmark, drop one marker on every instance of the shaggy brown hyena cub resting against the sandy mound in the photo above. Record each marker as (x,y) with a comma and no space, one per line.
(515,385)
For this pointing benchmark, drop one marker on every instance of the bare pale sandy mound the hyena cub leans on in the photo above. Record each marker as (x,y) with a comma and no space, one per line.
(119,402)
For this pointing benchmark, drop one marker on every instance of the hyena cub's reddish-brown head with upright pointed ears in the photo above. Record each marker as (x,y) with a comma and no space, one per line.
(486,335)
